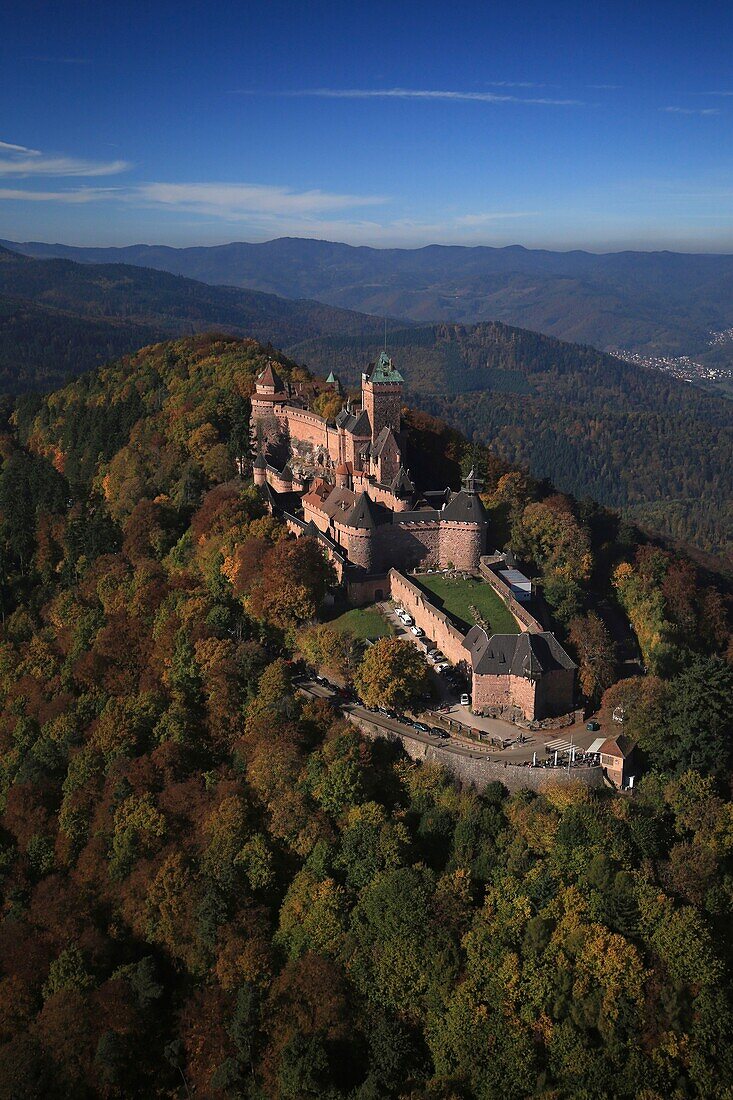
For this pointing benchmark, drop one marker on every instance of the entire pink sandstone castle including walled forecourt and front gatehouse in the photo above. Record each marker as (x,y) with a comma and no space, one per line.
(343,481)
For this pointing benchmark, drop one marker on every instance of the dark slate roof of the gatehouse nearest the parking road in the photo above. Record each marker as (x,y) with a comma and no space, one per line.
(519,655)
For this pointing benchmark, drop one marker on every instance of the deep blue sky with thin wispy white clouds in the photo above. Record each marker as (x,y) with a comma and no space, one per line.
(603,126)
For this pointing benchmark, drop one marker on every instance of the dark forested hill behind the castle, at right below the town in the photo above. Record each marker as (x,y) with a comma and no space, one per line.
(632,438)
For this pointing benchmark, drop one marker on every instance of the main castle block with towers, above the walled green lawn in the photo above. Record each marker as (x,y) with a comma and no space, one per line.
(345,481)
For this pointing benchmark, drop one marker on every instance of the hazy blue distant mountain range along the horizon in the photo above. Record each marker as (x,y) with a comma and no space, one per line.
(661,303)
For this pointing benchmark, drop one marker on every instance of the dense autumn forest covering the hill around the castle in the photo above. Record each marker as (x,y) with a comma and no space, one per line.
(214,887)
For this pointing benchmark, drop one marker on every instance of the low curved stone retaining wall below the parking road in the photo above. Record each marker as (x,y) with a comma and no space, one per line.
(480,773)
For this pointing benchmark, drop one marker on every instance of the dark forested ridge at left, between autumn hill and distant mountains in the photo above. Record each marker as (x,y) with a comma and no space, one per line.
(59,318)
